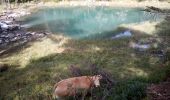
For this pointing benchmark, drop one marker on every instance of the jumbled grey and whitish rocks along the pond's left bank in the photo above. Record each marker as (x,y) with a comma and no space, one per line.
(11,32)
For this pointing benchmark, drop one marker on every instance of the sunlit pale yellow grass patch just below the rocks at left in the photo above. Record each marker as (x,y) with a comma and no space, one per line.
(38,49)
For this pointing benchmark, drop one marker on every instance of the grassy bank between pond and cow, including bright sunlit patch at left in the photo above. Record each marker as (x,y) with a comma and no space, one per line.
(38,65)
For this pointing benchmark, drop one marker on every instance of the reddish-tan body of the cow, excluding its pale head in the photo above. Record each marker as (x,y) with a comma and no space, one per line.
(71,86)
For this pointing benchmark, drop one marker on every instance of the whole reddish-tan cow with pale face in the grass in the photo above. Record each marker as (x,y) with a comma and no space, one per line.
(70,86)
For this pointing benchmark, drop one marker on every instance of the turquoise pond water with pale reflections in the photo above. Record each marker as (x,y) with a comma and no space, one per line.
(81,22)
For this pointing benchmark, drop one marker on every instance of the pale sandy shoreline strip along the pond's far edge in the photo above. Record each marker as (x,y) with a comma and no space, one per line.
(126,3)
